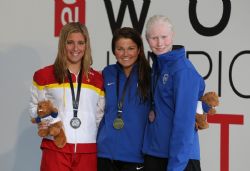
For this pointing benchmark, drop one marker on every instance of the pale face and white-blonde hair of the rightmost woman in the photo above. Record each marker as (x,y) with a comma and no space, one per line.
(160,38)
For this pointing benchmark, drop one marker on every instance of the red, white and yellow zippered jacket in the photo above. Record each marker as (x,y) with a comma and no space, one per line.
(90,110)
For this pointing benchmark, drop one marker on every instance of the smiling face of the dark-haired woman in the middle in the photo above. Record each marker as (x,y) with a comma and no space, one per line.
(126,52)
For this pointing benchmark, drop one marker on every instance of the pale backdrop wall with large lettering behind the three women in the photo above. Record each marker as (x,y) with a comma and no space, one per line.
(27,42)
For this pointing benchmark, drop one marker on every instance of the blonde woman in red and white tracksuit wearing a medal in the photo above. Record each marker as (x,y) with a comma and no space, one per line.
(77,91)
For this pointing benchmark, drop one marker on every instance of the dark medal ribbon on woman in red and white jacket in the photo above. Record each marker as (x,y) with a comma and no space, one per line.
(75,100)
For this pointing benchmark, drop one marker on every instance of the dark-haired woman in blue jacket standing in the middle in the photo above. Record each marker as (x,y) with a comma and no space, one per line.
(127,96)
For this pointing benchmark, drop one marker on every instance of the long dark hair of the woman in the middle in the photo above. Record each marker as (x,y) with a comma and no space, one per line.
(143,64)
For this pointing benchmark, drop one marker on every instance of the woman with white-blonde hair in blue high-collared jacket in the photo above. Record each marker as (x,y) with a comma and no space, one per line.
(171,141)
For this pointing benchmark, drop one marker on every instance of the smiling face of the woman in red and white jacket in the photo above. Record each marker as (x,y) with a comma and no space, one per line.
(75,48)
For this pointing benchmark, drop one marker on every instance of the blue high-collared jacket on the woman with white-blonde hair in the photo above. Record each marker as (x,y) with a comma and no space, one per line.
(177,87)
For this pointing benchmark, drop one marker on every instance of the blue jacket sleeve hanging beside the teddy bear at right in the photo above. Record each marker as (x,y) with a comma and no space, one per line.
(186,93)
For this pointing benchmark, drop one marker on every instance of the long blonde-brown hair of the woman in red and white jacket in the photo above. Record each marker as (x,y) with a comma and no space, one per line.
(60,64)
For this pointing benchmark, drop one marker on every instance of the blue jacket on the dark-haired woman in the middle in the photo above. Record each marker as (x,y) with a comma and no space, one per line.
(125,144)
